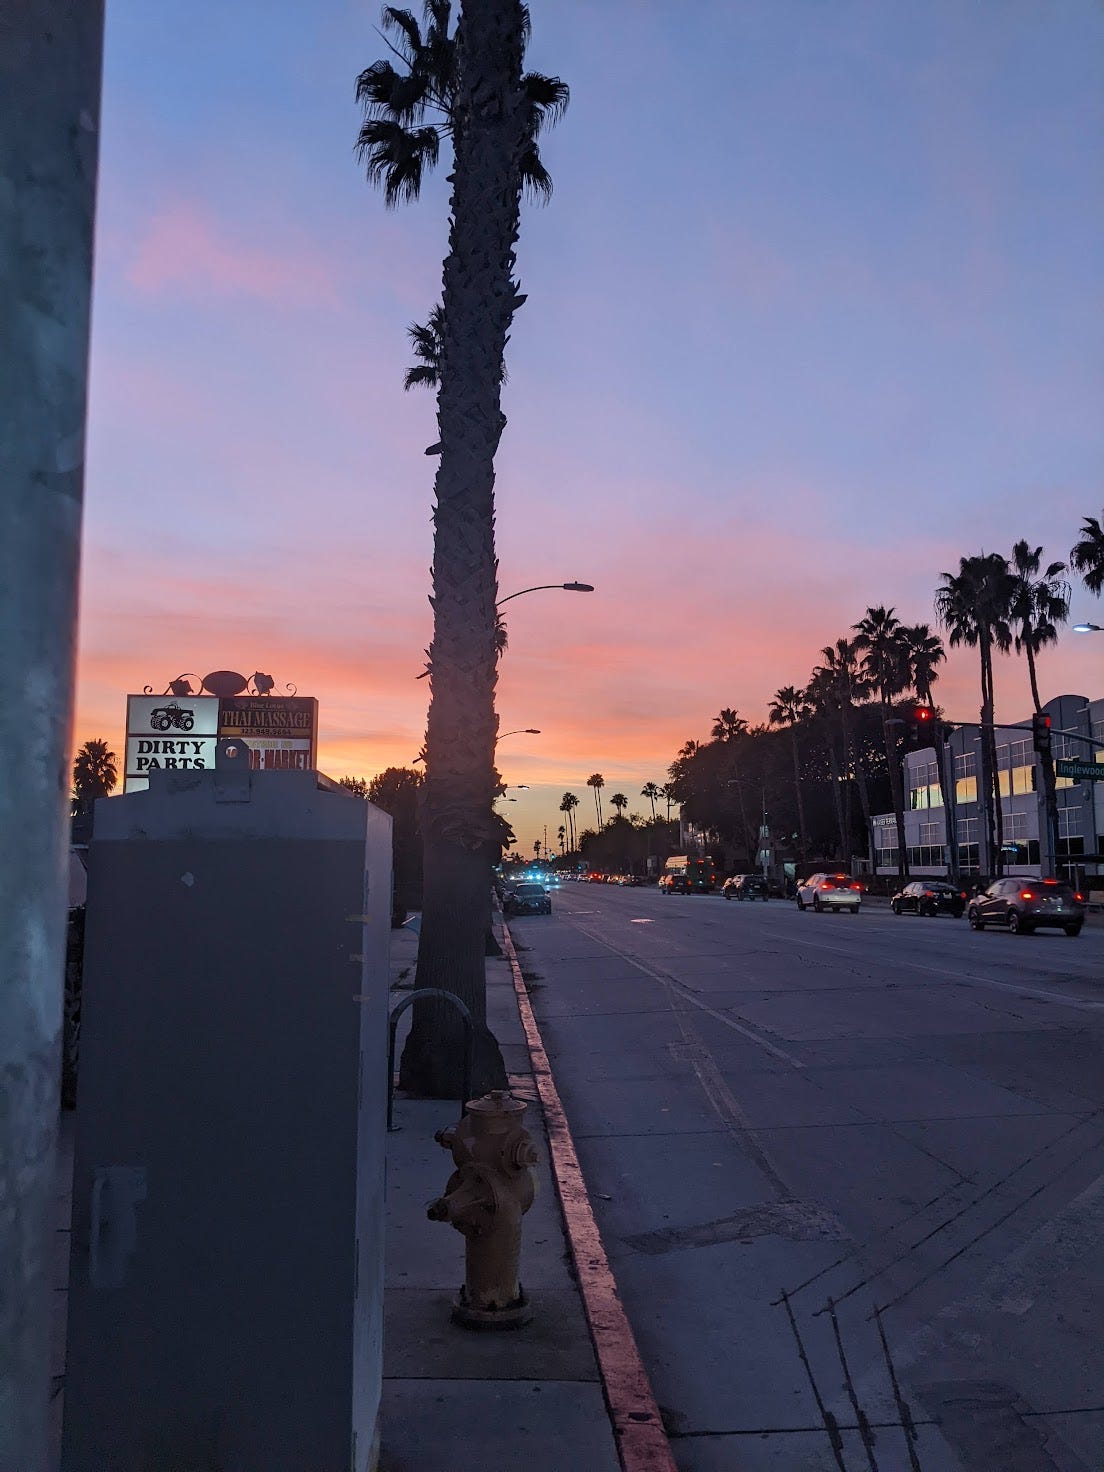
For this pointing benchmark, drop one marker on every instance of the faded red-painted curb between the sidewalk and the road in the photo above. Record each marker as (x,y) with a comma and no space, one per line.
(643,1445)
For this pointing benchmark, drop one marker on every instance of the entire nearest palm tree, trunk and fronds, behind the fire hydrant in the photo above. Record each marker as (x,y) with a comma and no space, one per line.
(476,96)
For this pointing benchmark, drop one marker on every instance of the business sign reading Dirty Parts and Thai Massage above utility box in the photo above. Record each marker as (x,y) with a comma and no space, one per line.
(180,734)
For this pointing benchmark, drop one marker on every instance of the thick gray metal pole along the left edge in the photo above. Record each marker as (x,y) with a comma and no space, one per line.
(51,58)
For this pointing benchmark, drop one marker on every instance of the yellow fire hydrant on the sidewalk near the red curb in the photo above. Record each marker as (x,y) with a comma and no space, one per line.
(488,1195)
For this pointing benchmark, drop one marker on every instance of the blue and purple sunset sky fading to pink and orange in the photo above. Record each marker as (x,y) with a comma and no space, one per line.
(815,311)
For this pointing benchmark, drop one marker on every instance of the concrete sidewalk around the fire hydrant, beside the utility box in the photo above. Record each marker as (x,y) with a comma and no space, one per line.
(457,1401)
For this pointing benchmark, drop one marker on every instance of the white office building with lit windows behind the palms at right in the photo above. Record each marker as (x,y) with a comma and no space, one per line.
(937,846)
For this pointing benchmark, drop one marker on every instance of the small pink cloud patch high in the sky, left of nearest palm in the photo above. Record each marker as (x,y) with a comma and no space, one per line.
(185,248)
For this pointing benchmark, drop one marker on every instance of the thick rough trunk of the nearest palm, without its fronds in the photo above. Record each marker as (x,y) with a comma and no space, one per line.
(479,304)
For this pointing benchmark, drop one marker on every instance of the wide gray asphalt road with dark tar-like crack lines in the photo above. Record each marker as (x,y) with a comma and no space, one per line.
(849,1172)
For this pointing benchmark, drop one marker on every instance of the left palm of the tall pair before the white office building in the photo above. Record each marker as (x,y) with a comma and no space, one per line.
(974,606)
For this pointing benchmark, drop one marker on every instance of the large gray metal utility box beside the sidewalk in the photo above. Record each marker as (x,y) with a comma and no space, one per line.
(226,1287)
